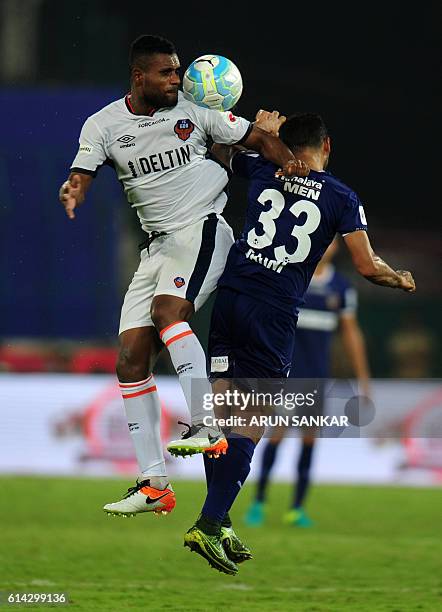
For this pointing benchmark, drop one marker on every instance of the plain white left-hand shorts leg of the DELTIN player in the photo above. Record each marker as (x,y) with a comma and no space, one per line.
(135,312)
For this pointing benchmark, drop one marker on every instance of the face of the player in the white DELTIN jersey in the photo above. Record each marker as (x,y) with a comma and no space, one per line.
(160,81)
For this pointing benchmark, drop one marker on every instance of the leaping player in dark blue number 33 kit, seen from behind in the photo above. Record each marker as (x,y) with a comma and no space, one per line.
(290,222)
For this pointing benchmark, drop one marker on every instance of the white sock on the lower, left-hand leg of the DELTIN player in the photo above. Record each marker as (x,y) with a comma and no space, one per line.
(143,411)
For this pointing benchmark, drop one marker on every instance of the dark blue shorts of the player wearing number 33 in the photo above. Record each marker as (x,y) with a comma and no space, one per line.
(249,338)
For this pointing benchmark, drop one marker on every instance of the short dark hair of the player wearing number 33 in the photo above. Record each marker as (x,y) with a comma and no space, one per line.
(303,130)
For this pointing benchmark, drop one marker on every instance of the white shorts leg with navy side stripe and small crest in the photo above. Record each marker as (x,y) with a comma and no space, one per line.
(195,260)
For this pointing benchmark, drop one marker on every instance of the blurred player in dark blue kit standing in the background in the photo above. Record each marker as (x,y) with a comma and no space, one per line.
(330,302)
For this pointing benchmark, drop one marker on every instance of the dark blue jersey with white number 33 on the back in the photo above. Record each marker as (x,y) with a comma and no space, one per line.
(289,225)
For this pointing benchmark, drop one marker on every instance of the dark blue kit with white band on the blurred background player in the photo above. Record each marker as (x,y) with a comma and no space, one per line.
(328,298)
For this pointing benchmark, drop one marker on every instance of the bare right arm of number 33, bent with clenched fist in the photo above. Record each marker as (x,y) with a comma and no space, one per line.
(372,267)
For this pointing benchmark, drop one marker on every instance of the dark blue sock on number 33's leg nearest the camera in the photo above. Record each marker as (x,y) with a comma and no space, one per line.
(229,474)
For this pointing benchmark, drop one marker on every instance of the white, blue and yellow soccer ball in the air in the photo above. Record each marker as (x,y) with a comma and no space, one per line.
(213,81)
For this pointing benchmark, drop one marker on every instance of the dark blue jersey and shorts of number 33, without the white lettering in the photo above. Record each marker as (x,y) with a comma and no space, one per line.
(255,312)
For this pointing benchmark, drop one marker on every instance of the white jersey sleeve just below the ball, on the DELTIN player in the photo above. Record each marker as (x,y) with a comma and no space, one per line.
(223,127)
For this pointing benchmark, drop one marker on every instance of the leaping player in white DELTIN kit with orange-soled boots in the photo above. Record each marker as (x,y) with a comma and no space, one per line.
(156,141)
